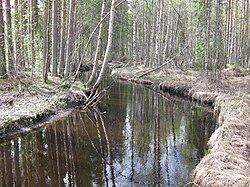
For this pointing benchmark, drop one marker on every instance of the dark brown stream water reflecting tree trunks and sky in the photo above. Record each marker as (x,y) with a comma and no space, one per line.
(143,139)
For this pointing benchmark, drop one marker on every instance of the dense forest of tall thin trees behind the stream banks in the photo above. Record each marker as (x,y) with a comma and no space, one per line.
(56,36)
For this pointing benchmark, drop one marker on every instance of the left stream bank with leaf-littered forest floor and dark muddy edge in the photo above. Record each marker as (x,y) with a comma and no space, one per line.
(26,102)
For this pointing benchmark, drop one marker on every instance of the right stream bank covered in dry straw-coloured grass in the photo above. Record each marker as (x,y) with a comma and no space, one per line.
(228,160)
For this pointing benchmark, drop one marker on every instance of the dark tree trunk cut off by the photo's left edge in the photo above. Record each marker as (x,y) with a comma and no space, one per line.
(3,71)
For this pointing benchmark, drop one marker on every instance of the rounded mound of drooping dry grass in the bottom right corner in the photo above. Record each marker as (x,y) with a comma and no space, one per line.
(221,169)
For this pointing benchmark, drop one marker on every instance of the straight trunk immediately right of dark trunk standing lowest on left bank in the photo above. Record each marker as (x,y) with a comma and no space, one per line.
(54,36)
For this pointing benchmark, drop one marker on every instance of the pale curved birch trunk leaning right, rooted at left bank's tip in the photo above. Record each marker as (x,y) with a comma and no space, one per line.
(109,45)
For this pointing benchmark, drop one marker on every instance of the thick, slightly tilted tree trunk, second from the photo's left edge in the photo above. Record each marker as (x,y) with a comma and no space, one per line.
(10,51)
